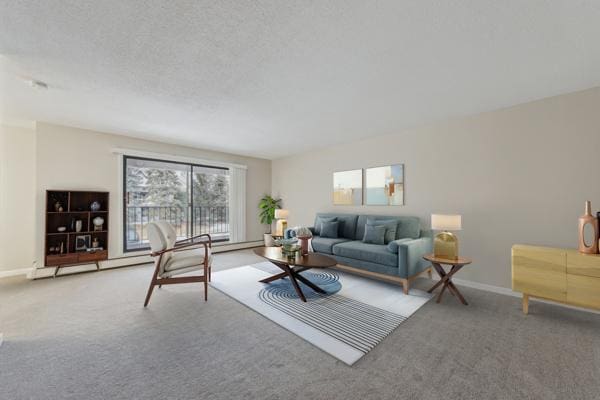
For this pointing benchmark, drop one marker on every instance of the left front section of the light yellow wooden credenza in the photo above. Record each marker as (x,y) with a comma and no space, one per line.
(540,272)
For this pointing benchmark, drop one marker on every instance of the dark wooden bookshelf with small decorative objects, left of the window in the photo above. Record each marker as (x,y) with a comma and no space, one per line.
(72,246)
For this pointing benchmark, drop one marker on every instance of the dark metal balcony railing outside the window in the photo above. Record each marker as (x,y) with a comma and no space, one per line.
(213,220)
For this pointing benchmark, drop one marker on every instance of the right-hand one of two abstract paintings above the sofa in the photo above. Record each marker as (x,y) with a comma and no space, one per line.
(384,186)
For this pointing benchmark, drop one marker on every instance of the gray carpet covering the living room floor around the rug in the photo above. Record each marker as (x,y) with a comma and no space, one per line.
(88,337)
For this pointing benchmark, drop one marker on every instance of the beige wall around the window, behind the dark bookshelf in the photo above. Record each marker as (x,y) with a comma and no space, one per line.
(71,158)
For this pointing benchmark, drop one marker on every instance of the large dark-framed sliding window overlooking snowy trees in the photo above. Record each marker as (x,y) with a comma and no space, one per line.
(193,198)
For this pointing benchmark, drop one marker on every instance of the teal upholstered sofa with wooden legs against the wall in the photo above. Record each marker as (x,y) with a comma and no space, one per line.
(401,261)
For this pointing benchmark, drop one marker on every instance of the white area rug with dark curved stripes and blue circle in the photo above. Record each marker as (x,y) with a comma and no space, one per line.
(346,324)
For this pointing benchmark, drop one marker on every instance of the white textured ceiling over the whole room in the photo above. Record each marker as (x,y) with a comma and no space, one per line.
(269,78)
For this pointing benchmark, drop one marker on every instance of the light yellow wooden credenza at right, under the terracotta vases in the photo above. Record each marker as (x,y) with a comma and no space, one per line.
(561,275)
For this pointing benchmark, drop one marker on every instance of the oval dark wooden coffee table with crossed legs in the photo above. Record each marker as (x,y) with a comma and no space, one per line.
(292,268)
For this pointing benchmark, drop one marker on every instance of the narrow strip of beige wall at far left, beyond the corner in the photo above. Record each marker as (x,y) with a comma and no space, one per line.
(17,197)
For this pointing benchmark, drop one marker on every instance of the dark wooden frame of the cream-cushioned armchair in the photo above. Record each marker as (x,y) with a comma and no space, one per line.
(182,246)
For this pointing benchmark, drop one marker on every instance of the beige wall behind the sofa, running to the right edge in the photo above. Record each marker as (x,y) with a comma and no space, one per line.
(517,175)
